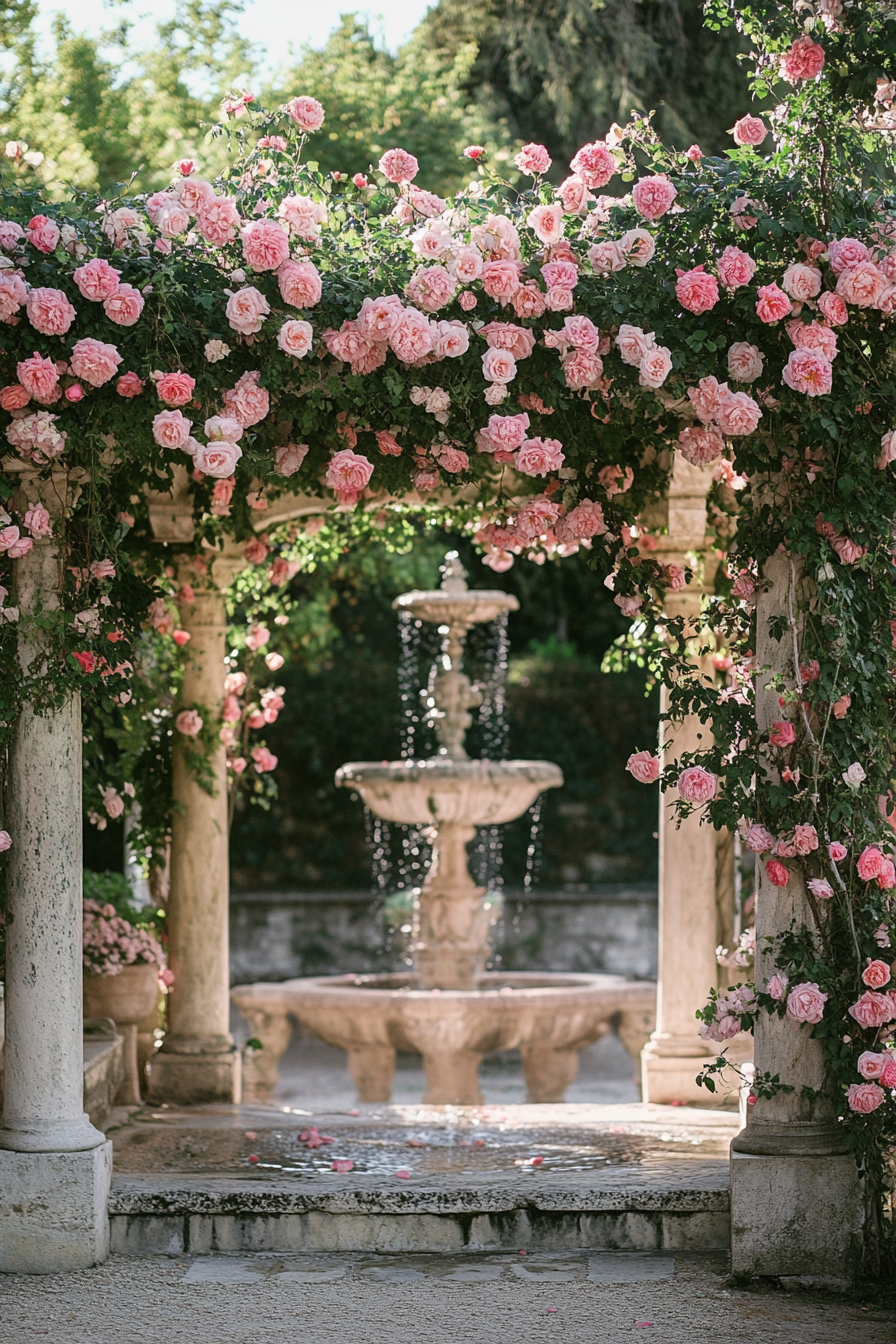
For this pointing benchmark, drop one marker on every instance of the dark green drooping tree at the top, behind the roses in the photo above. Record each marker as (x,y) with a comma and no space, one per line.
(562,72)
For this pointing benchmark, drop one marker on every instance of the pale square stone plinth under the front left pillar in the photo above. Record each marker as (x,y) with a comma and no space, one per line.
(53,1210)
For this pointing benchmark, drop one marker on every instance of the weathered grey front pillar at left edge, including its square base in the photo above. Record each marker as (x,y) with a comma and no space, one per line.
(56,1169)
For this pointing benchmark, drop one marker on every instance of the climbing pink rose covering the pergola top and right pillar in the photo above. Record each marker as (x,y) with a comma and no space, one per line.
(541,358)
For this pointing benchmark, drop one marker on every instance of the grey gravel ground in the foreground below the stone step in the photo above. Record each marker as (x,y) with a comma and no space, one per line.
(148,1302)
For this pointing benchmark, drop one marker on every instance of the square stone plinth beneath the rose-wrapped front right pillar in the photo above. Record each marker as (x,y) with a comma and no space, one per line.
(797,1218)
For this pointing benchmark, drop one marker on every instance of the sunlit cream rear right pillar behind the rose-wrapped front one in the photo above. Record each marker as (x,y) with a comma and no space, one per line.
(688,850)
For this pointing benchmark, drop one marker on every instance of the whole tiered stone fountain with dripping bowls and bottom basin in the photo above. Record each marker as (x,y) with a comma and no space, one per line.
(451,1010)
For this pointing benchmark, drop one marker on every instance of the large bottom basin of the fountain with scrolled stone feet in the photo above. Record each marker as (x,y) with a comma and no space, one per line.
(549,1018)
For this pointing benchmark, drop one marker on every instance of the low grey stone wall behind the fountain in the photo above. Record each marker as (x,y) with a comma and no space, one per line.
(280,936)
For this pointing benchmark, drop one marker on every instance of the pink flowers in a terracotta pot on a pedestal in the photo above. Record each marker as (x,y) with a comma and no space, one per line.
(124,975)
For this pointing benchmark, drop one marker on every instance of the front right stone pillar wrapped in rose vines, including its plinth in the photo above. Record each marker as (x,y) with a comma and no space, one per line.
(796,1194)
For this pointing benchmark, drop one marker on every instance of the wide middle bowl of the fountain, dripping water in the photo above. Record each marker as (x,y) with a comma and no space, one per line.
(440,791)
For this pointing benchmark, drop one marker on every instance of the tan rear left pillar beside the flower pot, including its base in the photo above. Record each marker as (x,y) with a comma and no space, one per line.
(198,1061)
